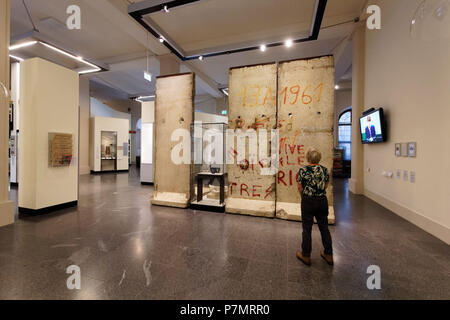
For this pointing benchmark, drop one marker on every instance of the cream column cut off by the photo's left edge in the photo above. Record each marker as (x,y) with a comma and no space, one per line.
(6,206)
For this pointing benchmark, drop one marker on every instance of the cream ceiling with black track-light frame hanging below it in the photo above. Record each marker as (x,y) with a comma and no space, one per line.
(109,35)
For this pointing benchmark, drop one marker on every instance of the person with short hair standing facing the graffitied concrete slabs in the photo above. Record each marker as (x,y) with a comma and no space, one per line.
(312,183)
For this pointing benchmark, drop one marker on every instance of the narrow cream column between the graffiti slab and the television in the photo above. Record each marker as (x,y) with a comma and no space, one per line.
(356,183)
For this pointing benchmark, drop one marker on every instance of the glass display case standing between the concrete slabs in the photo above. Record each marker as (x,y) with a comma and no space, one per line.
(208,166)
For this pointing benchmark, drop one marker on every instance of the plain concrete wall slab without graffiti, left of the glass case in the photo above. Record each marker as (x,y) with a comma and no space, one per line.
(174,113)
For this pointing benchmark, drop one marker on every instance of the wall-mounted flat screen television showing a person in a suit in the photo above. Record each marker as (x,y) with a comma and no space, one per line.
(373,127)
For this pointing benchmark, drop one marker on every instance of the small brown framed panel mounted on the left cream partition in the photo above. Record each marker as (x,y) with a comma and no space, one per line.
(60,149)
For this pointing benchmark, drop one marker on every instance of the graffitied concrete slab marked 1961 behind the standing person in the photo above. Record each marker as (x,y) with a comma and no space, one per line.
(305,120)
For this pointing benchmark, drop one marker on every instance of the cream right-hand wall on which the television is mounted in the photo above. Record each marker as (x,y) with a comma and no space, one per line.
(410,79)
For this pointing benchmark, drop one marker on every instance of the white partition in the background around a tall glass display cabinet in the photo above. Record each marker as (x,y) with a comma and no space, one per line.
(99,124)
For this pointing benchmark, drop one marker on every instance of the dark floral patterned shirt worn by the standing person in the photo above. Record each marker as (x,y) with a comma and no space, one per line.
(313,180)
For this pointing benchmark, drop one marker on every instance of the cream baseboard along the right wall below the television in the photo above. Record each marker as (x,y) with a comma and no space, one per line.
(430,226)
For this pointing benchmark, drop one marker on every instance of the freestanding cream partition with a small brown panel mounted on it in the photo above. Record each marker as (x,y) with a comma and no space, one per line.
(49,103)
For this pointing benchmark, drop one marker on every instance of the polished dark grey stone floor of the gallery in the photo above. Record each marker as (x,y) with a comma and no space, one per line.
(127,249)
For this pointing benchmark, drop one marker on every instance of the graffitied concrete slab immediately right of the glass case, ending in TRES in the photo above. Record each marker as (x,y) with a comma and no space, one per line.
(252,110)
